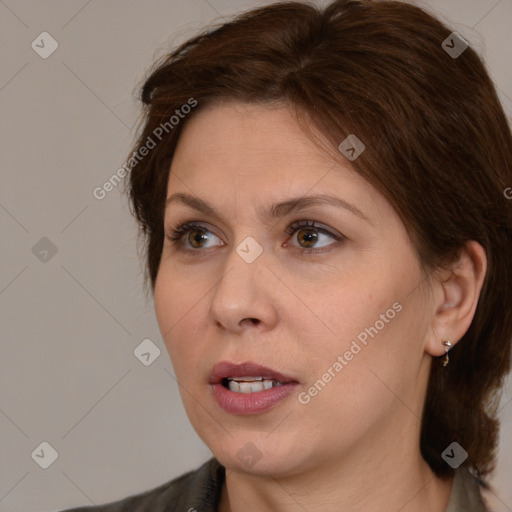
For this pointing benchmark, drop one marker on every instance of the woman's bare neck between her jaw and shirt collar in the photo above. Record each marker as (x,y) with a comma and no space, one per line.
(393,481)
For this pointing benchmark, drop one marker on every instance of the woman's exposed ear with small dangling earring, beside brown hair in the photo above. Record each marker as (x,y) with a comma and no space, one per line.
(456,291)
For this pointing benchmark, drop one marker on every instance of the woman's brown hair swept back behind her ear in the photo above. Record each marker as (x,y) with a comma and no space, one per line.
(438,147)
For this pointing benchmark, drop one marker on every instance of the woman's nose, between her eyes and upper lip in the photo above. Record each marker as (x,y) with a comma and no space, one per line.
(244,298)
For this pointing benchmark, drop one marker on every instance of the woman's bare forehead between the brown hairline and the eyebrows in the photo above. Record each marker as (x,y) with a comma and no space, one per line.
(257,152)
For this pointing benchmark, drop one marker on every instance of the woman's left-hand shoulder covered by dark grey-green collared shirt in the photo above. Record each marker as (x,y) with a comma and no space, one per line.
(196,490)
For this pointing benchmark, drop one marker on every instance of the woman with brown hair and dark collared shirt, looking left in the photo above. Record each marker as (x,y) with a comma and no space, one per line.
(328,245)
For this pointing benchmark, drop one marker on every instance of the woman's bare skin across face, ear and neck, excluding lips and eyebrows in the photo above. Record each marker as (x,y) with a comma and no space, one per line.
(355,445)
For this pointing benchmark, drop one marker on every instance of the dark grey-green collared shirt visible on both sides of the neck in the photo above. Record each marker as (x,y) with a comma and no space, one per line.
(200,490)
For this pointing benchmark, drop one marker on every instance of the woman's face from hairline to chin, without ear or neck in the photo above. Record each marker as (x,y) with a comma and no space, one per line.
(335,312)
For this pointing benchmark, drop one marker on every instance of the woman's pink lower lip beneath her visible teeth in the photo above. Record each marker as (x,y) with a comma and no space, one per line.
(251,403)
